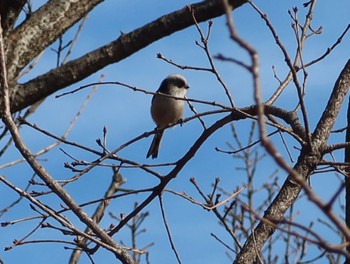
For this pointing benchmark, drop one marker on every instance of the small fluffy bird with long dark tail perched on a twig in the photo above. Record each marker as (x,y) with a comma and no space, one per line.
(167,110)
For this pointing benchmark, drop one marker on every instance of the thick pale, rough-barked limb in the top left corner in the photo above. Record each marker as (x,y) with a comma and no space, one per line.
(41,29)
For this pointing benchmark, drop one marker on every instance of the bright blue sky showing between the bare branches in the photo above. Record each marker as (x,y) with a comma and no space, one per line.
(125,113)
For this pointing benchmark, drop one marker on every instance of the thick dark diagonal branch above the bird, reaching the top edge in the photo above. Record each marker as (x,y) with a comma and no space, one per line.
(127,44)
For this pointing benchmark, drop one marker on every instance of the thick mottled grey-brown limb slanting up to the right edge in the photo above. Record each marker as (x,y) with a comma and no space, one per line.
(307,162)
